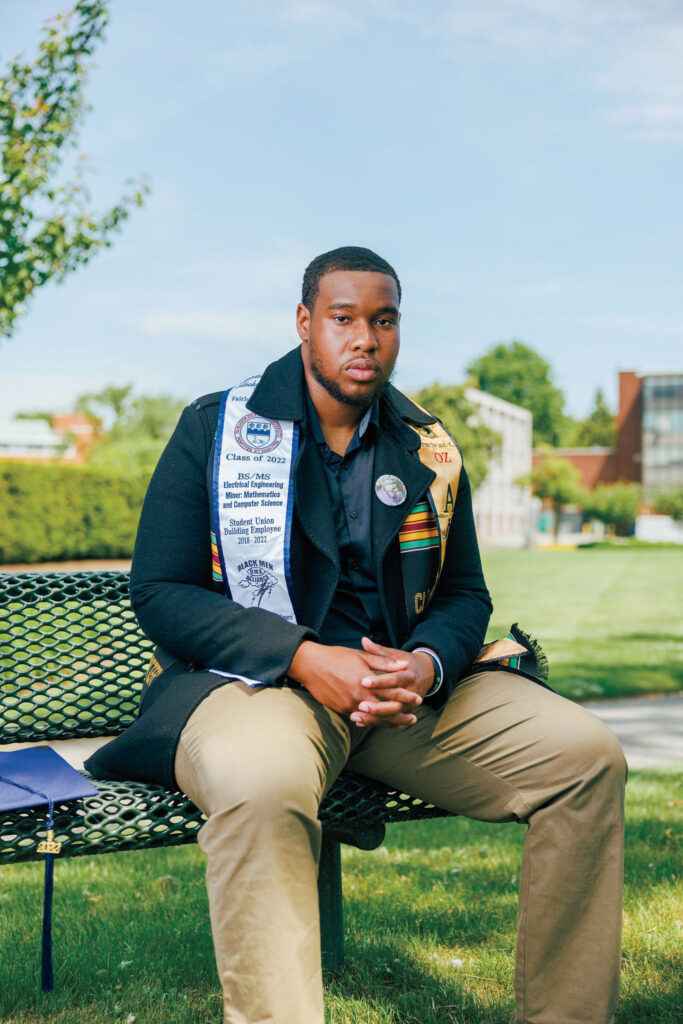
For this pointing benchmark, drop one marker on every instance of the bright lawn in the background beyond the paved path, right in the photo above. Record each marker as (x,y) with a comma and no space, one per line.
(609,620)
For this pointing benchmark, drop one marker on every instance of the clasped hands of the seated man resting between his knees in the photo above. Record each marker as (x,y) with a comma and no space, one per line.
(374,687)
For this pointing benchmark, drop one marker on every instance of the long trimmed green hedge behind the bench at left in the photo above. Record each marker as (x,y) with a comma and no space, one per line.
(54,513)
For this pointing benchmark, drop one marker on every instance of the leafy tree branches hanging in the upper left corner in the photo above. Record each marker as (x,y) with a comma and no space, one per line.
(47,230)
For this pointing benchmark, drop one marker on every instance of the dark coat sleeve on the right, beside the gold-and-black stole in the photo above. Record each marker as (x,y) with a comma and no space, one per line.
(459,612)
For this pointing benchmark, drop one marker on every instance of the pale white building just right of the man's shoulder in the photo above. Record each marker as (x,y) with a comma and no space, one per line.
(503,510)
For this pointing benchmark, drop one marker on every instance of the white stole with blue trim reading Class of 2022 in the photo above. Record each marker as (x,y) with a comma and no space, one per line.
(253,500)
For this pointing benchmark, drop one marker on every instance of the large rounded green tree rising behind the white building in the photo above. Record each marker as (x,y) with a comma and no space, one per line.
(519,374)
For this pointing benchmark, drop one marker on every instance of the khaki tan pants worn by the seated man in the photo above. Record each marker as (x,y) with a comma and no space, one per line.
(503,749)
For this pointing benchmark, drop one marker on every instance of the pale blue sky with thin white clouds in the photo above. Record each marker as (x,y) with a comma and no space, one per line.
(519,162)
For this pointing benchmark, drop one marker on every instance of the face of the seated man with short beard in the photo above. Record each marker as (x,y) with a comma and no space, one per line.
(352,337)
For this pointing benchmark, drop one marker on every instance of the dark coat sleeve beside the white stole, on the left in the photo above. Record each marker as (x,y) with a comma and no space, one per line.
(172,591)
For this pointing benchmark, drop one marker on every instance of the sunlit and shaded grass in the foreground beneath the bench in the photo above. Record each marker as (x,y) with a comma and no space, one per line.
(431,924)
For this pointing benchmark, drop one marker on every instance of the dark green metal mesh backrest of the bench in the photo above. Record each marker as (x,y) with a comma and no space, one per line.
(72,656)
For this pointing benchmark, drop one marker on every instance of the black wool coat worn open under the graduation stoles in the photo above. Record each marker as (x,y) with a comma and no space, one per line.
(198,626)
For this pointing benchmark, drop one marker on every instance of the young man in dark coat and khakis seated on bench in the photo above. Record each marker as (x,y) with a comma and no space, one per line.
(312,532)
